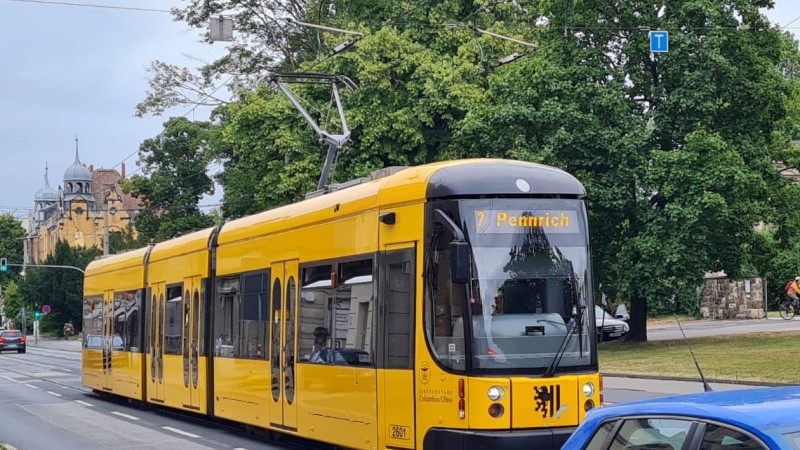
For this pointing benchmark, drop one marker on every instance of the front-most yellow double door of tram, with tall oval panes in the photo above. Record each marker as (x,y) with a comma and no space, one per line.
(283,306)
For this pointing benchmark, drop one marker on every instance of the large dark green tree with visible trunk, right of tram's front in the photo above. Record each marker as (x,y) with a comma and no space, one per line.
(710,110)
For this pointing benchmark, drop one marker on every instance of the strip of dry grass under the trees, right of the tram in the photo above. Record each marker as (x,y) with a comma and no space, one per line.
(752,357)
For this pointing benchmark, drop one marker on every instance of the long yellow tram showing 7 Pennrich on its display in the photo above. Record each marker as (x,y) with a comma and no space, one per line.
(439,306)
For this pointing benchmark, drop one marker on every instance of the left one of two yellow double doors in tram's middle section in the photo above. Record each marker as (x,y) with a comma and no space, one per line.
(155,345)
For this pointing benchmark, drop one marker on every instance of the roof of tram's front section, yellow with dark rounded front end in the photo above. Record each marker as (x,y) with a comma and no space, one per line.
(410,185)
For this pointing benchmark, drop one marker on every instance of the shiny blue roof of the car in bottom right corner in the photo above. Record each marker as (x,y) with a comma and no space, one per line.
(753,408)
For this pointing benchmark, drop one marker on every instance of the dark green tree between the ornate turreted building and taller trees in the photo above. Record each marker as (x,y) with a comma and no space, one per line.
(174,165)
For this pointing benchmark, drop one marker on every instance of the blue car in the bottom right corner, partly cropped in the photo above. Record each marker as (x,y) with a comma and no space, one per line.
(748,419)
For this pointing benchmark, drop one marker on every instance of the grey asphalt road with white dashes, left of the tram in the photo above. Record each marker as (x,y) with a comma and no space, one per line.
(43,403)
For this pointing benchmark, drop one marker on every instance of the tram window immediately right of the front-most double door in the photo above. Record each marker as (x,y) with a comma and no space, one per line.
(316,295)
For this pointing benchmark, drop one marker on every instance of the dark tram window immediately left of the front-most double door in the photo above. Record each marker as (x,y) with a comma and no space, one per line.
(253,323)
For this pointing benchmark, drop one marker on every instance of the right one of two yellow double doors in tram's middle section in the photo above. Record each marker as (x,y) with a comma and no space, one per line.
(190,347)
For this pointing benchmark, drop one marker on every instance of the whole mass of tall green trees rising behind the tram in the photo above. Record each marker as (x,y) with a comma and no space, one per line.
(676,150)
